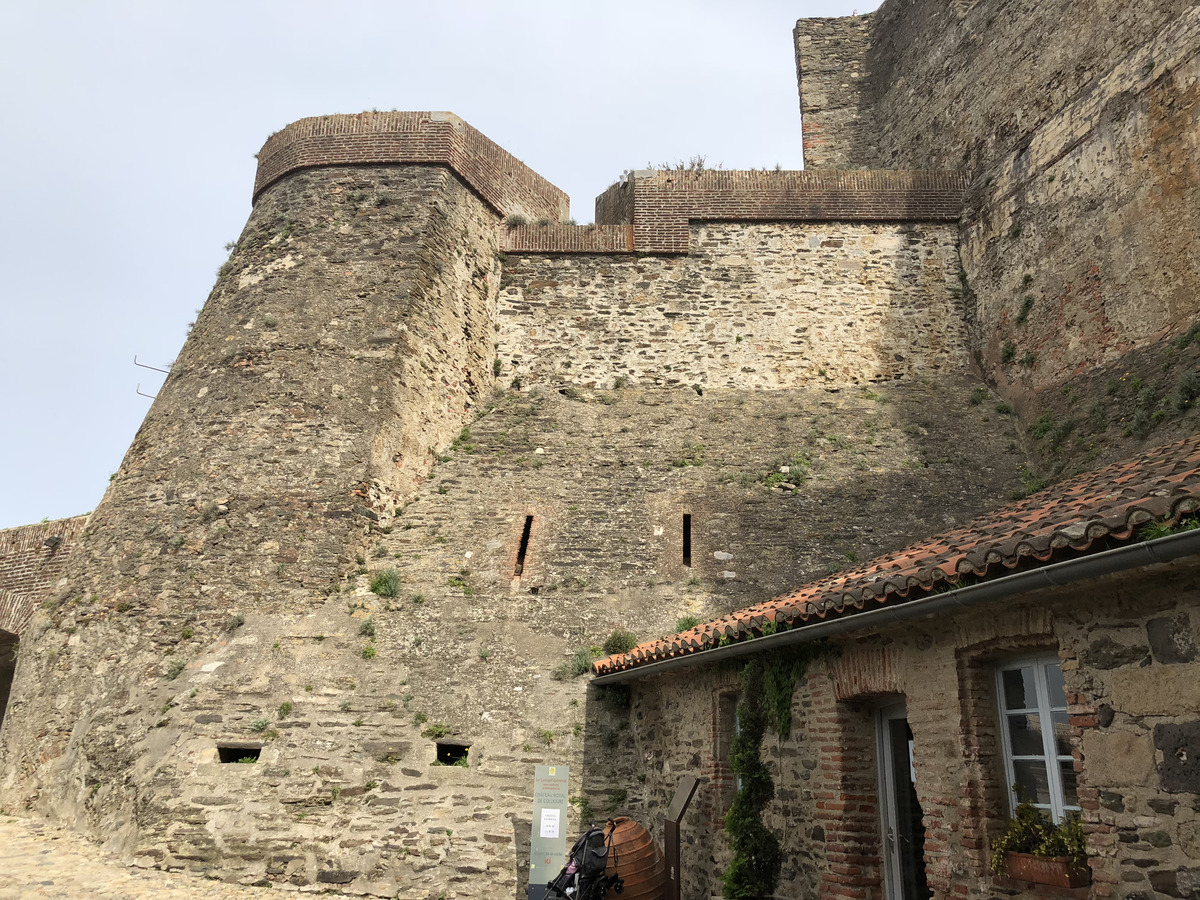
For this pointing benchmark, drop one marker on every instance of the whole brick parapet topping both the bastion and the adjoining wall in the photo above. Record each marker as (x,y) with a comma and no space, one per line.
(646,213)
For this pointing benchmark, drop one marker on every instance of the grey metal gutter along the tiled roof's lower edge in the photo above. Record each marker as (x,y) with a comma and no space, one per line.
(1132,556)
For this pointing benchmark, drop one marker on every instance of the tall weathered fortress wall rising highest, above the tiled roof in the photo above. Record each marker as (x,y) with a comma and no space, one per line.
(1078,236)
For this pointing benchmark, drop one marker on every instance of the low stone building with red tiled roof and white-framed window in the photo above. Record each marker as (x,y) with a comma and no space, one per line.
(1046,651)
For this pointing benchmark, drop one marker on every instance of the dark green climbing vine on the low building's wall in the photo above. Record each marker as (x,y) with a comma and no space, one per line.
(769,682)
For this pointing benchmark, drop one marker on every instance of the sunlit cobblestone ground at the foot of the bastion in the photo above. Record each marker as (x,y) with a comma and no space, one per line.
(46,862)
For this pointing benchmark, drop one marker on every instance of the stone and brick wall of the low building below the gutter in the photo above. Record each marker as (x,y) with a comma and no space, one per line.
(1130,662)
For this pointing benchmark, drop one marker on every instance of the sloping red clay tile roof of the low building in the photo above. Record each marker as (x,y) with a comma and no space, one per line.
(1107,506)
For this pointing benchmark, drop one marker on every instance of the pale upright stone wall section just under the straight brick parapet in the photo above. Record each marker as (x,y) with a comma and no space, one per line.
(758,307)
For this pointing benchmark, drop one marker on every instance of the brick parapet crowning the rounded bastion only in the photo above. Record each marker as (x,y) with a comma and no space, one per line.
(505,183)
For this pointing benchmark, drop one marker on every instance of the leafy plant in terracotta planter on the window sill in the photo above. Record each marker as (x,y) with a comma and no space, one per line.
(1034,849)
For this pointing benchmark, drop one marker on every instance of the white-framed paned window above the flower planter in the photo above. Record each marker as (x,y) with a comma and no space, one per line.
(1036,730)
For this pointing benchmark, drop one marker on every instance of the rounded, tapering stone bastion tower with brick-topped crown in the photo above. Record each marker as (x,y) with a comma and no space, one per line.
(350,338)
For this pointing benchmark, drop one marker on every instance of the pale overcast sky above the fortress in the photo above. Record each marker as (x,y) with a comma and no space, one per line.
(130,131)
